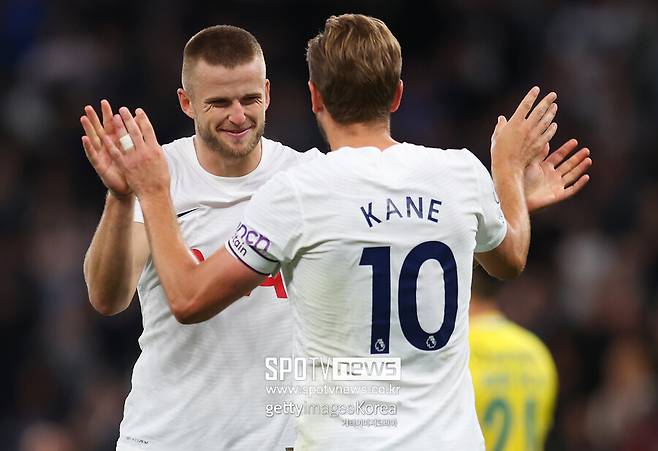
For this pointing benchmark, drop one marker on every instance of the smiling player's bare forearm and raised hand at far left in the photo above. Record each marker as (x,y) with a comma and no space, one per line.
(119,249)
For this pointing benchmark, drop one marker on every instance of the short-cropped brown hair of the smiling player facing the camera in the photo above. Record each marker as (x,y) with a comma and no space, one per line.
(222,45)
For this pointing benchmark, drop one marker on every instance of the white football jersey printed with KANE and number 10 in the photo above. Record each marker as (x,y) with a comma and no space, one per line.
(377,252)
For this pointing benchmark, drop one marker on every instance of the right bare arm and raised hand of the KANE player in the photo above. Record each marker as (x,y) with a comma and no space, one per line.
(515,144)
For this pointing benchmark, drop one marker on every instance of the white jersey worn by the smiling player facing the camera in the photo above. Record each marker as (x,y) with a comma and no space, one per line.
(201,387)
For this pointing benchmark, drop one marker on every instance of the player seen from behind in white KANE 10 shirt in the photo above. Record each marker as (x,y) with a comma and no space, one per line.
(353,234)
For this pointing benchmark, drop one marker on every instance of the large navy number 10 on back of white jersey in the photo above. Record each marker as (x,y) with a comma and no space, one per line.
(380,260)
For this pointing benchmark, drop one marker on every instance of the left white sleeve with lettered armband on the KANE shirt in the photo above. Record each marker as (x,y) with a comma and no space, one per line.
(271,227)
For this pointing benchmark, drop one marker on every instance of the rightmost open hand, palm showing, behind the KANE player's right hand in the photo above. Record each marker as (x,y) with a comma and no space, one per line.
(555,178)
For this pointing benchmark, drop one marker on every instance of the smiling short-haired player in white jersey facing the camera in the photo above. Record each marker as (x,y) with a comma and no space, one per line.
(198,387)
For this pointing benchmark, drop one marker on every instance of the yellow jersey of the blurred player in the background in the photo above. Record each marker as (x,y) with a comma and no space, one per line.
(515,384)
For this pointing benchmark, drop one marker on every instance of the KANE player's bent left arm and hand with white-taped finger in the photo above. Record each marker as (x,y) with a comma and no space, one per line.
(195,291)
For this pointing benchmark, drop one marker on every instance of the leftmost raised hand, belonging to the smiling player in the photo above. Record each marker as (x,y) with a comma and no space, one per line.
(97,151)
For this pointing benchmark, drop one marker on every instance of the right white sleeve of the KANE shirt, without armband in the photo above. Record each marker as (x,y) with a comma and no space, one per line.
(492,225)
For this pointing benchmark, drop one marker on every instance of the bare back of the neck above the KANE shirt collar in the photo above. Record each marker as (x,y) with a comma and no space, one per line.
(359,135)
